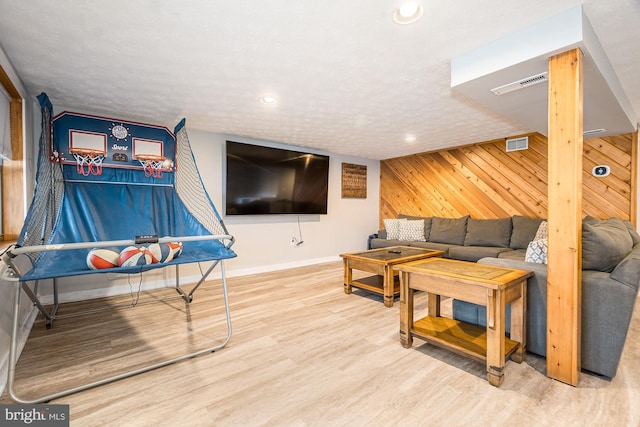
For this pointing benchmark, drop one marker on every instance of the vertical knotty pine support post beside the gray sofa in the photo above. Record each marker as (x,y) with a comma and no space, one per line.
(564,268)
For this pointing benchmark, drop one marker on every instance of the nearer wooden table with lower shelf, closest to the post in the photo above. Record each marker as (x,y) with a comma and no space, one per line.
(493,287)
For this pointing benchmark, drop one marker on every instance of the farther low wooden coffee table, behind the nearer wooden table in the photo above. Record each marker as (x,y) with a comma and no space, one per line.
(381,262)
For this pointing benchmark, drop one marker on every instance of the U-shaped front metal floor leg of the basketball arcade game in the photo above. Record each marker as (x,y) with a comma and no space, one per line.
(13,355)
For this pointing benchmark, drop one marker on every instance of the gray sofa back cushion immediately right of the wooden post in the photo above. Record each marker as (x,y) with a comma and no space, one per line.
(604,244)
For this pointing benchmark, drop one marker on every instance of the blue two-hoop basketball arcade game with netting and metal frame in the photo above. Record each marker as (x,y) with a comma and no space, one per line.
(105,185)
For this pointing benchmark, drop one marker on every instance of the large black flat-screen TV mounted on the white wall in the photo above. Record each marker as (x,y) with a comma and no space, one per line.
(265,180)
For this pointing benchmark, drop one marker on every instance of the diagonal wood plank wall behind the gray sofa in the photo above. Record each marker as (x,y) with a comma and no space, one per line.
(485,181)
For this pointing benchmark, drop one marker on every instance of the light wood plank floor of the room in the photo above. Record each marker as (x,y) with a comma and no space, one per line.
(302,353)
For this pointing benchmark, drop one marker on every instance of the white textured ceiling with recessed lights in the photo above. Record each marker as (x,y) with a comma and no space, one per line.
(349,80)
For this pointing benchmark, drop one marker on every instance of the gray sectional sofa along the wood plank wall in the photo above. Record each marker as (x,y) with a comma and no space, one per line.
(610,276)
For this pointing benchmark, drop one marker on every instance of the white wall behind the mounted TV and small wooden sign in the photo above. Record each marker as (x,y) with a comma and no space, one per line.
(263,242)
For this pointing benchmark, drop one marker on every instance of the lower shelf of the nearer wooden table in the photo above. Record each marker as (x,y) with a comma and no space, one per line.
(460,337)
